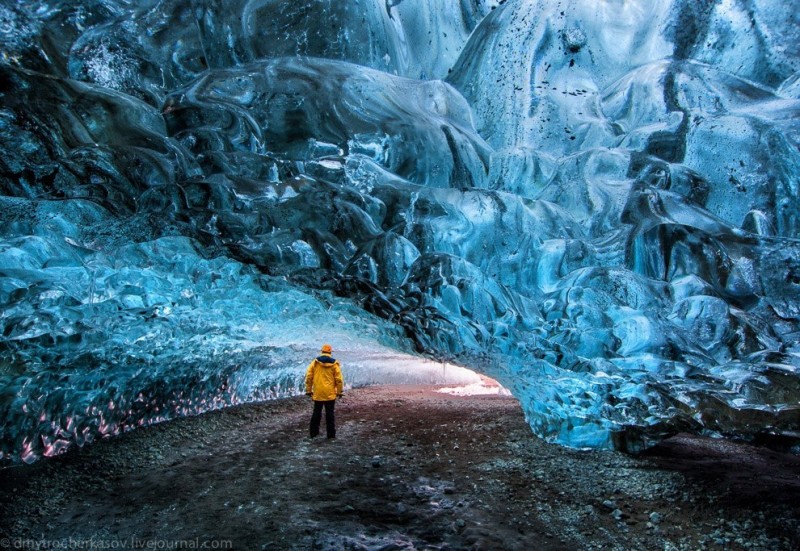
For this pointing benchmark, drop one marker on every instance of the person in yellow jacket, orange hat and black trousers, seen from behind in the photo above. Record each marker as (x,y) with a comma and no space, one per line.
(324,384)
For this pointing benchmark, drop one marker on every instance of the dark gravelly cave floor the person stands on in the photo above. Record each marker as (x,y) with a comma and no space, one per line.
(412,468)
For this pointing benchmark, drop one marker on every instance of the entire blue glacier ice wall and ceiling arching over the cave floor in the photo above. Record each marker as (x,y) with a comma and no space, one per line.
(595,202)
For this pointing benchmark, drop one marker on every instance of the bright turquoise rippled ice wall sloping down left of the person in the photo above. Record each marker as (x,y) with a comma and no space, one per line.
(101,336)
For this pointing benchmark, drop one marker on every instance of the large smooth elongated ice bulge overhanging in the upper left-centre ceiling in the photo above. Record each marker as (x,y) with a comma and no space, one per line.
(302,109)
